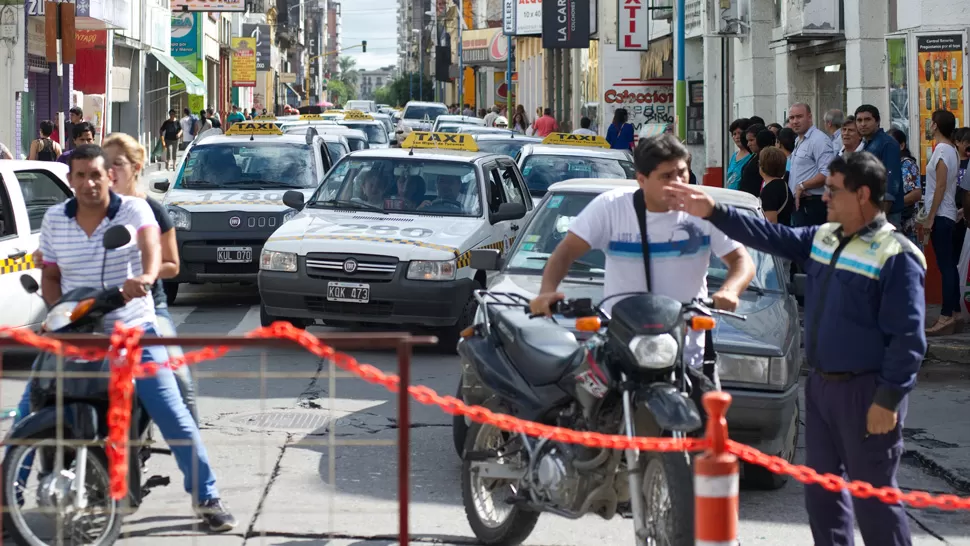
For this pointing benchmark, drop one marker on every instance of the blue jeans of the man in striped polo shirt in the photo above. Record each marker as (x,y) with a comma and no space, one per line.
(160,396)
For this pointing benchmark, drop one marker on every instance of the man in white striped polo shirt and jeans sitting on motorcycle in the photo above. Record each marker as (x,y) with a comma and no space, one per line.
(71,242)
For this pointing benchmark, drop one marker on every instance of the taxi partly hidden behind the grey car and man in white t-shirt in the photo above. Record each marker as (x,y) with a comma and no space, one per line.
(564,156)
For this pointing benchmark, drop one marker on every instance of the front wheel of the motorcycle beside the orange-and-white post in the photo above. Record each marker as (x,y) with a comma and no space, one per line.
(667,484)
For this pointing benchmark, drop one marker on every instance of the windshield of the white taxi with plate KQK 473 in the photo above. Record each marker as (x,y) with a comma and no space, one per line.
(404,186)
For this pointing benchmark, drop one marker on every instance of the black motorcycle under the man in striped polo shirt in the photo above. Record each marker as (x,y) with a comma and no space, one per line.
(63,436)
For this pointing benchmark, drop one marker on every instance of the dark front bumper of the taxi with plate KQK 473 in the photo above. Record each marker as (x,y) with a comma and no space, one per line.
(394,300)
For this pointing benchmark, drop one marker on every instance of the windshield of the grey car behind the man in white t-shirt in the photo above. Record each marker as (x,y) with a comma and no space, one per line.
(550,223)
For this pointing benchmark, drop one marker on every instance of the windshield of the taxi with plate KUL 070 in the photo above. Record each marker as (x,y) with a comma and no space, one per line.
(250,165)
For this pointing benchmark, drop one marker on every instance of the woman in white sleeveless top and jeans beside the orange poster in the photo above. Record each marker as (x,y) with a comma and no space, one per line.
(940,200)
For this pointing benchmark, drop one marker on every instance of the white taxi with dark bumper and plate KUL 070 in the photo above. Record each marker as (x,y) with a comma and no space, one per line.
(226,198)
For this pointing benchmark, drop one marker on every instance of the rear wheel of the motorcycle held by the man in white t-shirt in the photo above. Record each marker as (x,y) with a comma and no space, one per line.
(518,522)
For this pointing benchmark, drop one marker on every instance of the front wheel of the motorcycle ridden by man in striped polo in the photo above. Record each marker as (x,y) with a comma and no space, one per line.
(14,521)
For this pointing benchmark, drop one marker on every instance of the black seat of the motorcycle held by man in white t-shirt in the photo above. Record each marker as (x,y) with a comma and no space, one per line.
(541,350)
